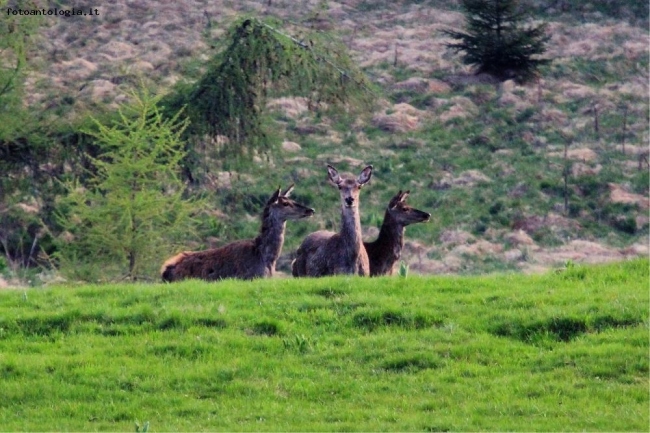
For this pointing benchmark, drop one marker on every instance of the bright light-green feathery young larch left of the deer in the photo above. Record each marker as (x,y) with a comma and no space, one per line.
(131,211)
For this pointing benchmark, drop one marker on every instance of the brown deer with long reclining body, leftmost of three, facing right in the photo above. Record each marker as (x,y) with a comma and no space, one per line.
(245,259)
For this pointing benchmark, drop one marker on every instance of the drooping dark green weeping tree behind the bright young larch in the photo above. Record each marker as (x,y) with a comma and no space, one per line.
(228,102)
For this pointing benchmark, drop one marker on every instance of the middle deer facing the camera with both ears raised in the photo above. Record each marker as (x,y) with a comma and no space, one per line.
(327,253)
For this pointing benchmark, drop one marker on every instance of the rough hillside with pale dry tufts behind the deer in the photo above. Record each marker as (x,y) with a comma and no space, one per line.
(486,160)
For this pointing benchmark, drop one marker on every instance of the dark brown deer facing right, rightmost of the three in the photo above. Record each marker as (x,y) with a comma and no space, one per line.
(384,252)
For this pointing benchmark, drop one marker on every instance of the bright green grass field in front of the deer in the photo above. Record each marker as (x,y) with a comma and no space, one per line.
(562,351)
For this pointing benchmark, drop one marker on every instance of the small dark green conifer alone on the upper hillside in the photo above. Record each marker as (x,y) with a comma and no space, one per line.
(496,41)
